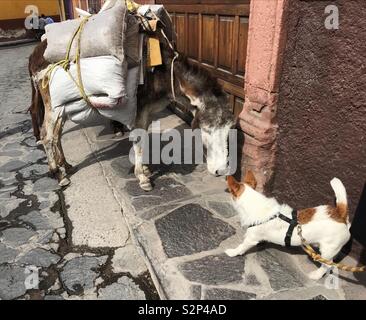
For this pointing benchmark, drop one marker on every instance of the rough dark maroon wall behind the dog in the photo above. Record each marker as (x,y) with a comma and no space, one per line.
(321,113)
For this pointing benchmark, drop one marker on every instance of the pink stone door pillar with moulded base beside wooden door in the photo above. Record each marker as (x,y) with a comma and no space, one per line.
(264,60)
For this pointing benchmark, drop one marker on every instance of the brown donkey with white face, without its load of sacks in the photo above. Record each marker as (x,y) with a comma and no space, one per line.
(208,102)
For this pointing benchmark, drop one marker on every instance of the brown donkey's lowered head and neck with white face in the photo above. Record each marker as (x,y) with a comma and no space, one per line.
(212,113)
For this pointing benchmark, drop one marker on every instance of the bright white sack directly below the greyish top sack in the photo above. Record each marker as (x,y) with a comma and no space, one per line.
(103,79)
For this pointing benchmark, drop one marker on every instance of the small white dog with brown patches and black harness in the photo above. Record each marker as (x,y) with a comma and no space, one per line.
(267,220)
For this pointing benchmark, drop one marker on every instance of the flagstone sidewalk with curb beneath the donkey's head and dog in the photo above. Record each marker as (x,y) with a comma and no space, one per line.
(183,226)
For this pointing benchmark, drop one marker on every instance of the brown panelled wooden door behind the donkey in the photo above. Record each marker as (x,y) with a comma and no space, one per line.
(214,34)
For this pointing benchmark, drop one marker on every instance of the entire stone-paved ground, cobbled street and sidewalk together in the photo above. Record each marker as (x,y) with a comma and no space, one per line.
(102,237)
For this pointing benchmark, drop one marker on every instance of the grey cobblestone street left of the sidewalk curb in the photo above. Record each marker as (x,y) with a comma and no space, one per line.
(36,237)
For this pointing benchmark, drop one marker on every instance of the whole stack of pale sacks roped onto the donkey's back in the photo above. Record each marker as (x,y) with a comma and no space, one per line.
(97,63)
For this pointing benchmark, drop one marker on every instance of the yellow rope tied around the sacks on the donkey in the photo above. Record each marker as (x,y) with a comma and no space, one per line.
(65,63)
